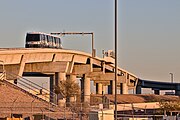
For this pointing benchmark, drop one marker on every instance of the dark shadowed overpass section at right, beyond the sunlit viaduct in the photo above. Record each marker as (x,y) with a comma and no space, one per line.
(157,86)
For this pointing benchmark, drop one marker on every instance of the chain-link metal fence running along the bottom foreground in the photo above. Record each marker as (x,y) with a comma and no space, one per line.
(74,111)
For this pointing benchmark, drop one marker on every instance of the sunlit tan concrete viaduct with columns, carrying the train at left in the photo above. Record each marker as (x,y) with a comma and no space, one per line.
(64,64)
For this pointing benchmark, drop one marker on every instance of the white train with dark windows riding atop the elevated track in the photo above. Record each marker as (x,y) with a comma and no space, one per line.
(42,40)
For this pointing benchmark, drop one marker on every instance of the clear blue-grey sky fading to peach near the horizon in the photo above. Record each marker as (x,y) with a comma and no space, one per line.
(149,30)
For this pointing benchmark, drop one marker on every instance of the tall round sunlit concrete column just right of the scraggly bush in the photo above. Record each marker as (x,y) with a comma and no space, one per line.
(87,91)
